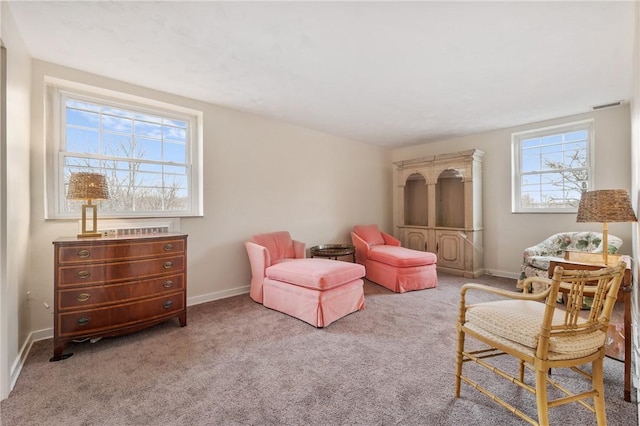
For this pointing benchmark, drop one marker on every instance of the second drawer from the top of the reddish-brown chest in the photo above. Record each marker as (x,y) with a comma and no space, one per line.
(94,274)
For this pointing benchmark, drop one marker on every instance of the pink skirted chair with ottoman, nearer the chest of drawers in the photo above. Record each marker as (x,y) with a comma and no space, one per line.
(317,291)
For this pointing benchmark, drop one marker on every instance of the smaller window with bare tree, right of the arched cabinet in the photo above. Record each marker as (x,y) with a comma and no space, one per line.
(551,168)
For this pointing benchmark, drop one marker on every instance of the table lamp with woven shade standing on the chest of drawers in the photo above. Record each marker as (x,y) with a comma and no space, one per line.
(88,186)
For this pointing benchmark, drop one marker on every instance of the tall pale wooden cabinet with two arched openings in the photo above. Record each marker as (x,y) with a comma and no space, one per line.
(438,208)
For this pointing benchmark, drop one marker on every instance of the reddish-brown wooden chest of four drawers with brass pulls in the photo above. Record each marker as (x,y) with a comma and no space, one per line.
(112,286)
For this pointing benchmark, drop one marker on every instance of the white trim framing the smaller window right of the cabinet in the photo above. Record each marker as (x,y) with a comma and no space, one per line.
(516,140)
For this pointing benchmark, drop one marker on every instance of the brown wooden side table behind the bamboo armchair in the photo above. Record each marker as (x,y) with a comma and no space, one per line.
(624,294)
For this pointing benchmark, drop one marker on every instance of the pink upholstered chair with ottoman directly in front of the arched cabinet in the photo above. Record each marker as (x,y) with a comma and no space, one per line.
(397,268)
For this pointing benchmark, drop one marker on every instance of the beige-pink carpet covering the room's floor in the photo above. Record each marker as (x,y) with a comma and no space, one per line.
(240,363)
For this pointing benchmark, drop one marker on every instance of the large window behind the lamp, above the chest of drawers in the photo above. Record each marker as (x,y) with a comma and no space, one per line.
(145,154)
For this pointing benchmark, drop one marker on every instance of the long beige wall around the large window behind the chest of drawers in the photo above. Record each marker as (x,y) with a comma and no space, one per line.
(260,175)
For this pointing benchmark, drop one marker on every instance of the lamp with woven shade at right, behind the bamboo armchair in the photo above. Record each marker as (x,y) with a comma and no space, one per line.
(607,205)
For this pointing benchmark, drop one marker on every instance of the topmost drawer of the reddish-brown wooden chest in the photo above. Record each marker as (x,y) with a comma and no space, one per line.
(115,251)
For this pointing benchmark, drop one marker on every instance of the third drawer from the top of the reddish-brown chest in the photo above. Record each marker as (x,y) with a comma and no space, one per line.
(88,297)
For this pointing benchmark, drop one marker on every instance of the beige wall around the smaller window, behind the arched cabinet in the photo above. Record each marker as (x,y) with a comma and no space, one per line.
(507,234)
